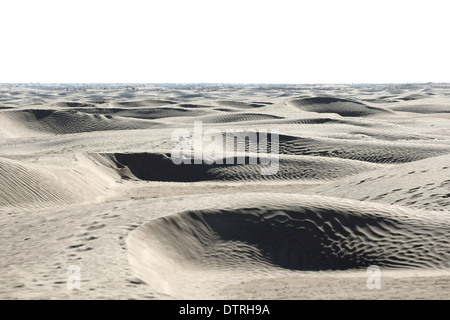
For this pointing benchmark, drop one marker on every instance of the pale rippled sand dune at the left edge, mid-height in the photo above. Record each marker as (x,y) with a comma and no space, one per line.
(25,184)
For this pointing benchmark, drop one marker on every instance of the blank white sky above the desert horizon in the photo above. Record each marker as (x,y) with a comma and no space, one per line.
(224,41)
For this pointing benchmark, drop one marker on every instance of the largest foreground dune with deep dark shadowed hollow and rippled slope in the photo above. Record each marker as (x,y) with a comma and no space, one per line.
(293,233)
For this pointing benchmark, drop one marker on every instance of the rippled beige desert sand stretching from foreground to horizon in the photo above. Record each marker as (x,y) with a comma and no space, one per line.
(87,181)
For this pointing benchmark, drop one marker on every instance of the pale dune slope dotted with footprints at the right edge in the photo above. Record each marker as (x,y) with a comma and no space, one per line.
(423,184)
